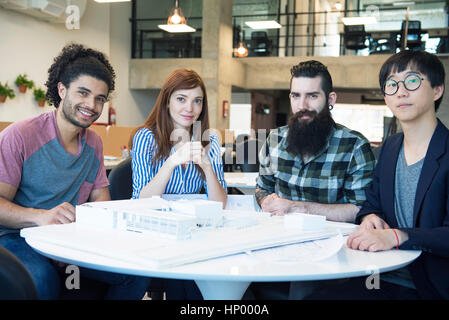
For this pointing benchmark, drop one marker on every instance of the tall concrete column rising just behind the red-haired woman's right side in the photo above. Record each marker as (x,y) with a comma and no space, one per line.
(216,57)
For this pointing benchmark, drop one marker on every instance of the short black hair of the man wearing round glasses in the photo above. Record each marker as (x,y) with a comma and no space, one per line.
(426,63)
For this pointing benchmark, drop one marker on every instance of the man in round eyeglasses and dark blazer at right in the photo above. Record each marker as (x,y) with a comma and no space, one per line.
(407,204)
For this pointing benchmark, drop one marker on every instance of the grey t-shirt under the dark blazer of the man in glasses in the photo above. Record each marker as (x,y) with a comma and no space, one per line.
(406,182)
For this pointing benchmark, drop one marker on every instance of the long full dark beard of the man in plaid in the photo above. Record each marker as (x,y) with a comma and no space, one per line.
(308,137)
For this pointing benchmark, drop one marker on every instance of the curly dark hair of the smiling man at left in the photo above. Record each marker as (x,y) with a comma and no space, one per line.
(73,61)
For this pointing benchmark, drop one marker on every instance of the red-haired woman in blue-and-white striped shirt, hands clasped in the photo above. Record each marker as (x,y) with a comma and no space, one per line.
(174,150)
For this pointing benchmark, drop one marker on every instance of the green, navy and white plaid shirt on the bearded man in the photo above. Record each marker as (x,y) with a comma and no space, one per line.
(339,173)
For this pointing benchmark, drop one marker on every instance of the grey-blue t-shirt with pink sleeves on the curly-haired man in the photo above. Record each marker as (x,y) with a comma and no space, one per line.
(33,160)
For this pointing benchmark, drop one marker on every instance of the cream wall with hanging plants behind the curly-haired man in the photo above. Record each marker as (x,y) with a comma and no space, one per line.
(29,46)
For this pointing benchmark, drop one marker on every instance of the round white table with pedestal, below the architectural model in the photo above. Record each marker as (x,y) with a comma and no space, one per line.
(228,277)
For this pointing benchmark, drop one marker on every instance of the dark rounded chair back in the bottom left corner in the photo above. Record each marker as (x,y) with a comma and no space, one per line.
(15,281)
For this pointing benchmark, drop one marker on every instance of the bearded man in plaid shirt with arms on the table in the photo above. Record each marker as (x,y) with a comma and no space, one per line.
(314,165)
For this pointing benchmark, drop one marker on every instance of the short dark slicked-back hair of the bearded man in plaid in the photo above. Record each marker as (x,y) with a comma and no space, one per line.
(312,69)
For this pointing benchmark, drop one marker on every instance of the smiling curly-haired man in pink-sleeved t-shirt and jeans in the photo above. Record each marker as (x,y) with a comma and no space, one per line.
(53,162)
